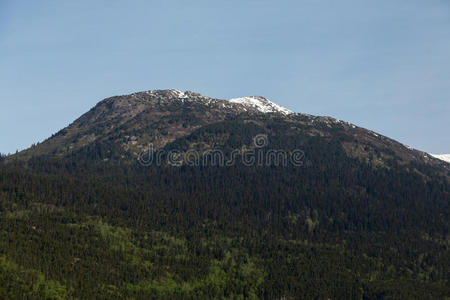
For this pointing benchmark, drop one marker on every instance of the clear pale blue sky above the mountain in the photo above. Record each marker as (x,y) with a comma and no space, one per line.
(383,65)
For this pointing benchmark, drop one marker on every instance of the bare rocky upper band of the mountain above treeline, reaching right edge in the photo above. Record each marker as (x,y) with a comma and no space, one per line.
(130,123)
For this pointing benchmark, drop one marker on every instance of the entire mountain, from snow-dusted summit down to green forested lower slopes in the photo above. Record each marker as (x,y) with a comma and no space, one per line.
(173,195)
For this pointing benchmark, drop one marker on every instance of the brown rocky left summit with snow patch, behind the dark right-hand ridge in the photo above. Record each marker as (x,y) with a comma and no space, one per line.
(159,117)
